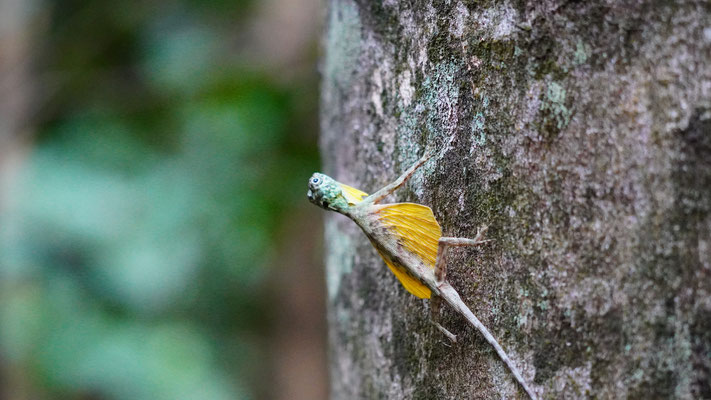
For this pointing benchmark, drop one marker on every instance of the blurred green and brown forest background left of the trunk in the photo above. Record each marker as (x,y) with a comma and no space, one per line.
(155,237)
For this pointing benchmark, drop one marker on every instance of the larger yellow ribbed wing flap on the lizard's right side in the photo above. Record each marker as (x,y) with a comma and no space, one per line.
(414,227)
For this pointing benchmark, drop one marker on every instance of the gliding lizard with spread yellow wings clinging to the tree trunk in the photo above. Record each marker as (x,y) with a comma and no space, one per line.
(410,241)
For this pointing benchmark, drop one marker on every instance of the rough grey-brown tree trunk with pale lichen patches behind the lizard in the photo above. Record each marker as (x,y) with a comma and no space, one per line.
(581,134)
